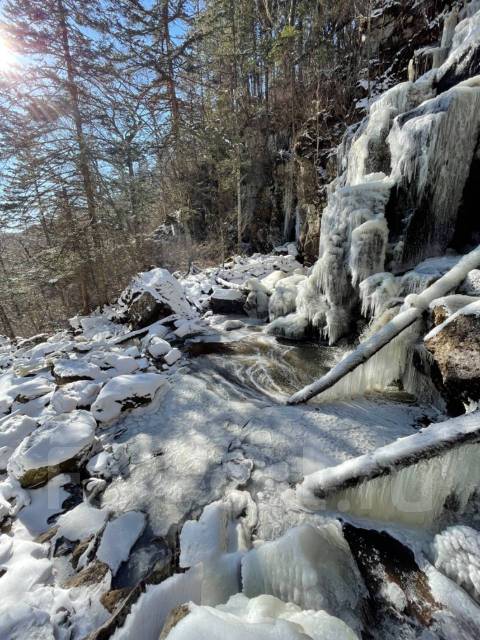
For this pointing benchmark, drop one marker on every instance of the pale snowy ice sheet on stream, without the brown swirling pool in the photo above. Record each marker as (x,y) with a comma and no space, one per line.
(182,458)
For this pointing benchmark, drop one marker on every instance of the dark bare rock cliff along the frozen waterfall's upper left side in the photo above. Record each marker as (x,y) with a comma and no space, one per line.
(396,31)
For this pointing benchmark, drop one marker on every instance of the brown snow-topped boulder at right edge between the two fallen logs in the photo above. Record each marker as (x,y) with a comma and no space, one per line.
(455,346)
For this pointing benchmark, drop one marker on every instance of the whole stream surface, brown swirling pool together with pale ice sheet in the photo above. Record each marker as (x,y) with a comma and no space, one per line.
(222,424)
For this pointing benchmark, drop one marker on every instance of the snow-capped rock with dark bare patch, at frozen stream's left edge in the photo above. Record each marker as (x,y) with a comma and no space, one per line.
(125,392)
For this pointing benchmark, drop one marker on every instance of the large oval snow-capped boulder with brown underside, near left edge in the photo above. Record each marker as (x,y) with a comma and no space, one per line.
(54,447)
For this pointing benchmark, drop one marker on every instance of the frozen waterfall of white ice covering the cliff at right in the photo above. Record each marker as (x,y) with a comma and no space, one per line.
(403,195)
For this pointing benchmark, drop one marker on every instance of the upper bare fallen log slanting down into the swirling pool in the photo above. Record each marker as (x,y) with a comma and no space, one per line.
(415,306)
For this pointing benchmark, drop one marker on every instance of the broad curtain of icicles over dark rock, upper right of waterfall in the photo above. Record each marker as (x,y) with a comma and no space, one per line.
(420,142)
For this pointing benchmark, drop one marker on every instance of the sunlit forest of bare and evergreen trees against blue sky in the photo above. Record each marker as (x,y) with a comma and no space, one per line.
(125,121)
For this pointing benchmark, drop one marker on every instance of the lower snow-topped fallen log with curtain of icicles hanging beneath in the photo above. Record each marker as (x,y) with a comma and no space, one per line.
(410,481)
